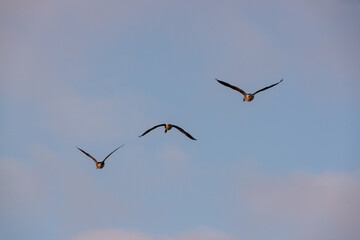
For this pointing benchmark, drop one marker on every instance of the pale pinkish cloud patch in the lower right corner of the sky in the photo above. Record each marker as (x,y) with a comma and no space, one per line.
(305,206)
